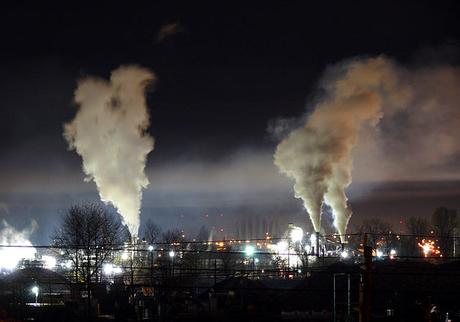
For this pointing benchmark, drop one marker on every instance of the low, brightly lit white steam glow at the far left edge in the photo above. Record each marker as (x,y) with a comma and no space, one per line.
(9,236)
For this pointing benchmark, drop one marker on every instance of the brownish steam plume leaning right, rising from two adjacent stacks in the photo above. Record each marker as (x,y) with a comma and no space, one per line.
(318,155)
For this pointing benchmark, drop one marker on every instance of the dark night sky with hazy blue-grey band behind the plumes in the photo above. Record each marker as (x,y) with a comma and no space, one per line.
(225,72)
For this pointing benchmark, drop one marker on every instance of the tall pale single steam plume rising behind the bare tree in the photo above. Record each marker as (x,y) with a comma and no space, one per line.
(109,132)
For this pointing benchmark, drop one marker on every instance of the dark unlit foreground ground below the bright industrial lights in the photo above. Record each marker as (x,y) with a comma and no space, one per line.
(400,291)
